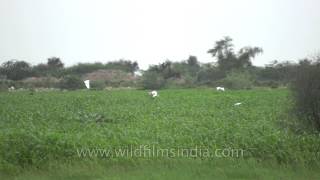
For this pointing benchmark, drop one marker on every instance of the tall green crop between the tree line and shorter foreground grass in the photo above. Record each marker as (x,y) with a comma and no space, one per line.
(40,128)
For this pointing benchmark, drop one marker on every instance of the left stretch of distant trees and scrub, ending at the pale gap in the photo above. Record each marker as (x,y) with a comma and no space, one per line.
(53,74)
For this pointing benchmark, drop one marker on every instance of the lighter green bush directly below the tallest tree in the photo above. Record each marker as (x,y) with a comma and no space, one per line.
(238,80)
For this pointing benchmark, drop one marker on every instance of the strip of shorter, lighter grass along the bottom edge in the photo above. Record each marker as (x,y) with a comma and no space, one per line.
(171,169)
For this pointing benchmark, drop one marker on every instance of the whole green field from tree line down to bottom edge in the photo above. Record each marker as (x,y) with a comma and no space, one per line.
(42,133)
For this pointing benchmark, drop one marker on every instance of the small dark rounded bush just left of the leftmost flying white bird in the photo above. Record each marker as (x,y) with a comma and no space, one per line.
(71,82)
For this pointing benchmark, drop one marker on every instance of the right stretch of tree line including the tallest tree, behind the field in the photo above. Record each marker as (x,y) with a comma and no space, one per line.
(230,68)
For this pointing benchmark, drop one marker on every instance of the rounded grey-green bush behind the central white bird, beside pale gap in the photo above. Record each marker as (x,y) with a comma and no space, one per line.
(152,80)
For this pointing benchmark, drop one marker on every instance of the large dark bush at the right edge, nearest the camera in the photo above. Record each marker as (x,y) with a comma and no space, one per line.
(306,88)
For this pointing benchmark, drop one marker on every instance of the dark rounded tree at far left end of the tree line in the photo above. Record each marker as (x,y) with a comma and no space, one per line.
(16,70)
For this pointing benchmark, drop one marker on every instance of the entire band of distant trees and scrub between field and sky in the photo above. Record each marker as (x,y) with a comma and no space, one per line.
(229,68)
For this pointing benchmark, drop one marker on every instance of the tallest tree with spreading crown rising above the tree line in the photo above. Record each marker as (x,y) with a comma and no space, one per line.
(227,59)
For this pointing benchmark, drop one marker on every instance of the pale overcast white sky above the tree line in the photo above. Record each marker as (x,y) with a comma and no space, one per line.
(152,31)
